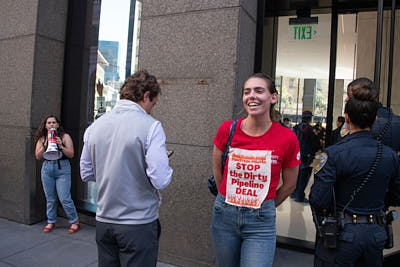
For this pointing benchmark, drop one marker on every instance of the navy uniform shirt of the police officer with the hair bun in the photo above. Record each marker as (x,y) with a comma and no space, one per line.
(347,165)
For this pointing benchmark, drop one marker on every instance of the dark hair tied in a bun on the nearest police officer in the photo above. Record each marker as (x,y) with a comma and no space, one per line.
(362,106)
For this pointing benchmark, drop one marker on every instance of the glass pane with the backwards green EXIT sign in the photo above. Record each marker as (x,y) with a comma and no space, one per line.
(302,72)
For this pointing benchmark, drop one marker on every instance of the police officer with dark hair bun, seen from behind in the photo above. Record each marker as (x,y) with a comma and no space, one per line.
(350,186)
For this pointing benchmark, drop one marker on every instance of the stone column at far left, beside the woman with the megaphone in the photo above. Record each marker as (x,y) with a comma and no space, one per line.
(32,36)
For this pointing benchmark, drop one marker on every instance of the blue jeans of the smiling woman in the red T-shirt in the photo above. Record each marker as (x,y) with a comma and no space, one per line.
(243,236)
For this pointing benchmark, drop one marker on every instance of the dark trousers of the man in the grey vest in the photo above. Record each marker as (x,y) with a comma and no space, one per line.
(127,245)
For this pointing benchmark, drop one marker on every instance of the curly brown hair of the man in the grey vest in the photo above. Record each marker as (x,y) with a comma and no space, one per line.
(136,85)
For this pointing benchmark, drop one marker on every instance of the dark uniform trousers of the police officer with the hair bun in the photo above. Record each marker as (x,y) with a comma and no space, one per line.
(358,245)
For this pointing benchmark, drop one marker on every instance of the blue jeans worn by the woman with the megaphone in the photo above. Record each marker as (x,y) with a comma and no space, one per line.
(55,182)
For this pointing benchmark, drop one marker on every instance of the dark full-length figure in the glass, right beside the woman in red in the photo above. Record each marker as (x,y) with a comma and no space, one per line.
(309,144)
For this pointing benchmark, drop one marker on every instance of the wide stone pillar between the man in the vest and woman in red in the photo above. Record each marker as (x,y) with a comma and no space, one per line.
(201,52)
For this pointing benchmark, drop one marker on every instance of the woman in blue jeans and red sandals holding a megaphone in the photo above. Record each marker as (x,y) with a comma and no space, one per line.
(55,146)
